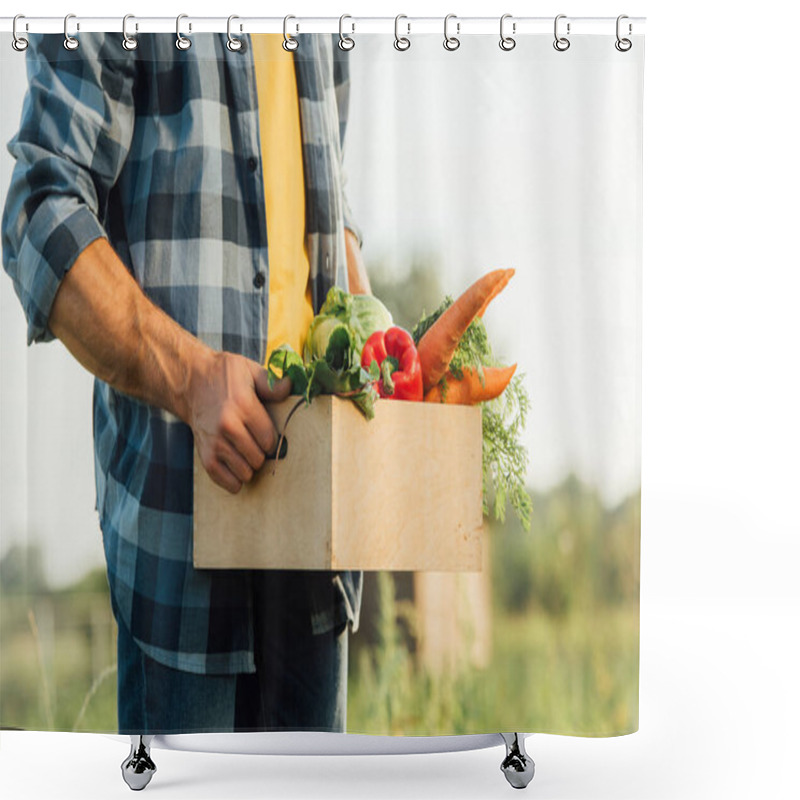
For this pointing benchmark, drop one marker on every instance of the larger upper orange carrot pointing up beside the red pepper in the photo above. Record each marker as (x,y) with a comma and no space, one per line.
(440,341)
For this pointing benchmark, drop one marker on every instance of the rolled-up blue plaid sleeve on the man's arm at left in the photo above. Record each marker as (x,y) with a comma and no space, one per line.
(74,136)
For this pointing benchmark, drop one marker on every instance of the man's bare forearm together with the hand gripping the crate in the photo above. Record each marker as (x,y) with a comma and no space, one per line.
(106,321)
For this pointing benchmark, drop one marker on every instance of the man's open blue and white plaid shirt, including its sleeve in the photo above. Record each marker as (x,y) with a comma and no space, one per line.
(158,150)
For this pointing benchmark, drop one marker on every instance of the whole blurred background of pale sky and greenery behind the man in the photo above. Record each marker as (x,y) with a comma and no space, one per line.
(458,163)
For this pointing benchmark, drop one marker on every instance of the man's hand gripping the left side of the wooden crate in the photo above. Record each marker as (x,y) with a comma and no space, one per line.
(232,430)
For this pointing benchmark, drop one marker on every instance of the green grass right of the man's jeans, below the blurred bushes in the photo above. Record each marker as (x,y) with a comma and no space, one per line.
(574,674)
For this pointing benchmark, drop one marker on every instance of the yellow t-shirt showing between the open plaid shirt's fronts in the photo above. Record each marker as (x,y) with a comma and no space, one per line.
(290,308)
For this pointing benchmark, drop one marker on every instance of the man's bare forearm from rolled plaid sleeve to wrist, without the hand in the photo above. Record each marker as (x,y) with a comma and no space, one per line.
(110,326)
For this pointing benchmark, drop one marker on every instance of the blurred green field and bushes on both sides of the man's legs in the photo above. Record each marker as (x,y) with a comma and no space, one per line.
(564,652)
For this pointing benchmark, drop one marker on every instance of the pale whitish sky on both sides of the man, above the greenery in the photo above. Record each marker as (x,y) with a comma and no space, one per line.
(480,158)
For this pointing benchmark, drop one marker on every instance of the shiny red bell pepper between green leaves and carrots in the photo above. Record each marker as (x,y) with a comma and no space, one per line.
(398,361)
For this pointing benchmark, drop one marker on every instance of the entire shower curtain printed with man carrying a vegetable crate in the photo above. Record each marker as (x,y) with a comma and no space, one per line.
(257,195)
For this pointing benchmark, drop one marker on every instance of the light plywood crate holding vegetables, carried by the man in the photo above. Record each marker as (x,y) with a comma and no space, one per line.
(399,492)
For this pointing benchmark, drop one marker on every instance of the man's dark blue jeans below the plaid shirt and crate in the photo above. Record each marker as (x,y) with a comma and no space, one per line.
(300,682)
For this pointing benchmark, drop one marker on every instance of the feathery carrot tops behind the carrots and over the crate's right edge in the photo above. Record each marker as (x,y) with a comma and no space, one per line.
(505,459)
